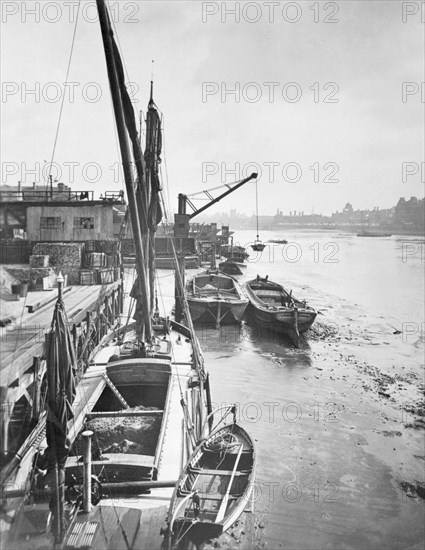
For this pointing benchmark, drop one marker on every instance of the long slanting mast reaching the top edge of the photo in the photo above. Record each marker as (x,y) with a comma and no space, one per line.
(127,164)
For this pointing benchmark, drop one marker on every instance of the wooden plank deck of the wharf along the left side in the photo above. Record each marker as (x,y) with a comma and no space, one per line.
(91,311)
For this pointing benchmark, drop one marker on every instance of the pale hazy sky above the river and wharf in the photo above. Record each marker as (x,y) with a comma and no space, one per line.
(325,100)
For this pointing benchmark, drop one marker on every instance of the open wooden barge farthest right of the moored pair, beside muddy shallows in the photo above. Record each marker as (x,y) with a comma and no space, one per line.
(275,309)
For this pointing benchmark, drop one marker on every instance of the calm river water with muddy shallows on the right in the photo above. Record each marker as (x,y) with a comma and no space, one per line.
(338,423)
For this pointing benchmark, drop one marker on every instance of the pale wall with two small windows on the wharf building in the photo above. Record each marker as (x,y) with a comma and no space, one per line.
(62,224)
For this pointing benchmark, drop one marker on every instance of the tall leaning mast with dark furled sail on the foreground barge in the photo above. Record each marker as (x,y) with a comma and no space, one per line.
(136,202)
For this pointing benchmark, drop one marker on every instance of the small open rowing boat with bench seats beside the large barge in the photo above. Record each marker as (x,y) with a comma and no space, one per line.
(214,488)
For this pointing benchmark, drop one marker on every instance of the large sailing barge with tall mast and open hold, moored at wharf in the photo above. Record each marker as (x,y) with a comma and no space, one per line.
(140,407)
